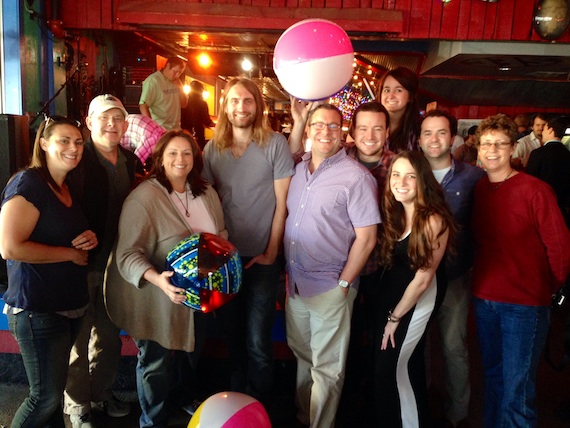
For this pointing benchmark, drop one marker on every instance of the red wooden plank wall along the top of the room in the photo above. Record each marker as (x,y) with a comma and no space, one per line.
(506,20)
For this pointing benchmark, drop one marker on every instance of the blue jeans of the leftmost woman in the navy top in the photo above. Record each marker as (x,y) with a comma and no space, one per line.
(45,341)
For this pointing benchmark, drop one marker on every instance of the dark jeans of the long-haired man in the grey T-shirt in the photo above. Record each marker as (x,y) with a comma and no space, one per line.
(247,322)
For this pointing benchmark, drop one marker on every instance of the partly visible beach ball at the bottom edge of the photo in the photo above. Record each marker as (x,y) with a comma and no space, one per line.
(230,410)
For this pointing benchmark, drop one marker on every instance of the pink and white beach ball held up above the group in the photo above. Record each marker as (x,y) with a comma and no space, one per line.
(313,59)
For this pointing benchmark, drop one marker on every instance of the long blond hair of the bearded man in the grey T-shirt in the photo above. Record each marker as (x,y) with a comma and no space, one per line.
(223,133)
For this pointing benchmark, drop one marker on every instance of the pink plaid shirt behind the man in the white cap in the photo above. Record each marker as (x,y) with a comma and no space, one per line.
(141,135)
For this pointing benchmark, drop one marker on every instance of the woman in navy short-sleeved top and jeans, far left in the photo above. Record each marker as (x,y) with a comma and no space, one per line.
(45,241)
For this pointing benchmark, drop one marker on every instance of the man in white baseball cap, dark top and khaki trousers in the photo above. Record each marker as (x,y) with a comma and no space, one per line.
(102,181)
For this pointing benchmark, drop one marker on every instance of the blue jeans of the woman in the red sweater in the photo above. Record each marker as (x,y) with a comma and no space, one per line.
(511,339)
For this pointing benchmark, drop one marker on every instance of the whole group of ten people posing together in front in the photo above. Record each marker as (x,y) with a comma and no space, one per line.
(393,228)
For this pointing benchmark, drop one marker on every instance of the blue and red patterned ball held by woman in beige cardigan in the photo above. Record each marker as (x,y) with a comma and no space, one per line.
(208,268)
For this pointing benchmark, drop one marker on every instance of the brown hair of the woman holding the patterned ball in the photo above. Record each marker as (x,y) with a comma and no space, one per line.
(197,183)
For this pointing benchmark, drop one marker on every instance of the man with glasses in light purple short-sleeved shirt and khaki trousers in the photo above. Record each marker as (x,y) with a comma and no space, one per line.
(329,234)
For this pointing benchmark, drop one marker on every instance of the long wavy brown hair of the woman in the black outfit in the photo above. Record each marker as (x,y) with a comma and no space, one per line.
(430,201)
